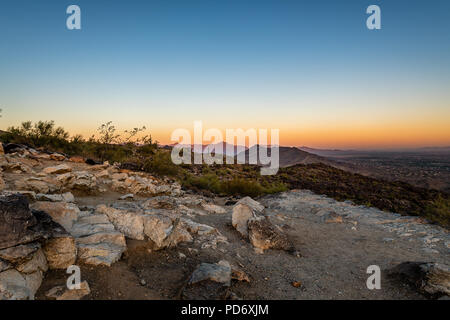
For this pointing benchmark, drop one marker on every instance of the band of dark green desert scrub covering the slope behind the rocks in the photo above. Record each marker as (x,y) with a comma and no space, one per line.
(138,152)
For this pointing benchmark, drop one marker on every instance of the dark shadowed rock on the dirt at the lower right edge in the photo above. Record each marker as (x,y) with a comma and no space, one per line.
(428,277)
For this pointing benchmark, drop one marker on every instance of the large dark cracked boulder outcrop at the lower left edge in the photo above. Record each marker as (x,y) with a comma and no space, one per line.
(23,261)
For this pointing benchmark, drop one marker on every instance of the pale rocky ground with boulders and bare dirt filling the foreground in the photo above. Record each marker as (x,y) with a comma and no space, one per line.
(135,236)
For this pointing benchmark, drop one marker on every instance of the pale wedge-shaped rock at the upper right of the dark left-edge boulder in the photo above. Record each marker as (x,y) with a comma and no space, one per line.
(61,212)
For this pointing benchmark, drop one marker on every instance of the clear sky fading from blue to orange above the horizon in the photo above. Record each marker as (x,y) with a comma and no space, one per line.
(310,68)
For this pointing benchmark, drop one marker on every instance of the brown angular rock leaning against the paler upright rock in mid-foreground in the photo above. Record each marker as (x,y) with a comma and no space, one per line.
(264,235)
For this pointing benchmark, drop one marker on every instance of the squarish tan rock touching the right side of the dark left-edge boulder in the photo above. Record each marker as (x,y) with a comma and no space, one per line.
(61,252)
